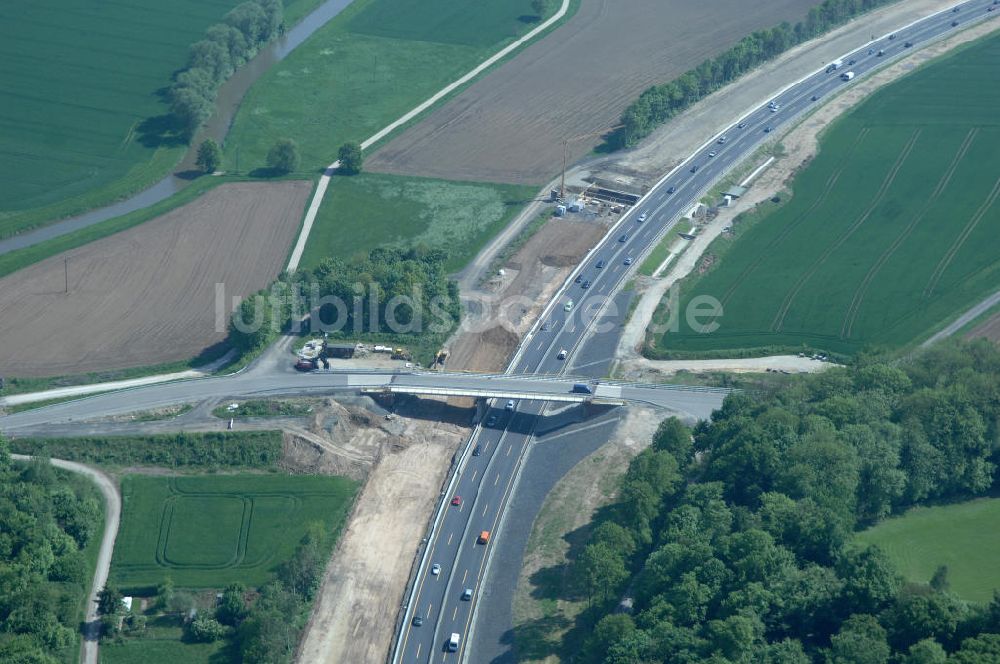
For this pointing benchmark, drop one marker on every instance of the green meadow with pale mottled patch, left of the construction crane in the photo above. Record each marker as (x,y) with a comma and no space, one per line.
(369,210)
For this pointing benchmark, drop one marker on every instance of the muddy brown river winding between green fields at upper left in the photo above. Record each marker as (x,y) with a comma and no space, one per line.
(228,101)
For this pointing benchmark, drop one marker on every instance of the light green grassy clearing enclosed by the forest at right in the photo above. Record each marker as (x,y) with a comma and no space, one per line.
(965,537)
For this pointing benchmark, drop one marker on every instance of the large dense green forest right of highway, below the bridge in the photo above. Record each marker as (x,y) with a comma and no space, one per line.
(733,542)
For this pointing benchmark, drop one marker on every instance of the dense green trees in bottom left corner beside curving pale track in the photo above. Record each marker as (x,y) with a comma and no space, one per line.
(47,517)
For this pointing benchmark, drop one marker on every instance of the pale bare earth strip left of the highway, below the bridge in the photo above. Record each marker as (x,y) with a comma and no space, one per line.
(354,618)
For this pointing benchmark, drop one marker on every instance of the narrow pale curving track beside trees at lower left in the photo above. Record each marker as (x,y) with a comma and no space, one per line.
(112,516)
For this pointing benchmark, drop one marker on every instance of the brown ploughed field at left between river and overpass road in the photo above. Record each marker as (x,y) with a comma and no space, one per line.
(147,295)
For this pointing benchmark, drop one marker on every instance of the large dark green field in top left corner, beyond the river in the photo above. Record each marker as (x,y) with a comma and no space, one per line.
(82,118)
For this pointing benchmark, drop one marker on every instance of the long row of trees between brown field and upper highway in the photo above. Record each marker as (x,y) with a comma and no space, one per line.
(659,103)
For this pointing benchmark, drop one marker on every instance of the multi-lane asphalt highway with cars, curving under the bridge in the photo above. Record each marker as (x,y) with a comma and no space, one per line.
(484,481)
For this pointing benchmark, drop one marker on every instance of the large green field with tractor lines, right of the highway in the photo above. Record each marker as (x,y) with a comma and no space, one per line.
(890,231)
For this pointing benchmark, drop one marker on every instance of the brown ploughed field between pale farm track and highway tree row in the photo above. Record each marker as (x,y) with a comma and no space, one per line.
(510,125)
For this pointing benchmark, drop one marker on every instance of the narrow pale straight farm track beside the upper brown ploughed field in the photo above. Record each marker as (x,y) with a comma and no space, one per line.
(324,181)
